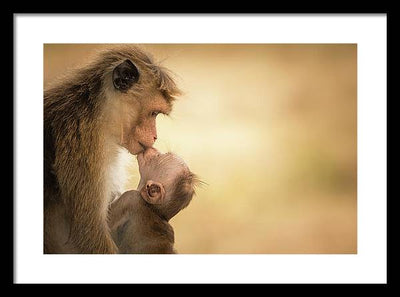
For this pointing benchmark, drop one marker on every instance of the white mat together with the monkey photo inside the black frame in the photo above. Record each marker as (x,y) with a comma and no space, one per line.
(251,147)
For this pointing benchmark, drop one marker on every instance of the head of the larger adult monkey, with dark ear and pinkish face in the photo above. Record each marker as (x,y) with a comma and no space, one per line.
(138,90)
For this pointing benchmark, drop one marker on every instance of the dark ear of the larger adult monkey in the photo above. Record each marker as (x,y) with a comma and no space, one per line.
(125,75)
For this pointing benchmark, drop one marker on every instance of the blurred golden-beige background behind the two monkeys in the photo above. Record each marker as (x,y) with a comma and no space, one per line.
(272,131)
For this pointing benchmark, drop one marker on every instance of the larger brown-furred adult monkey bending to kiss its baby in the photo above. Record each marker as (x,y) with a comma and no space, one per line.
(92,117)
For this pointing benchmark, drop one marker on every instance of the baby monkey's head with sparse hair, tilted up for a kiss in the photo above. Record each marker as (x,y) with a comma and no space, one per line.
(166,183)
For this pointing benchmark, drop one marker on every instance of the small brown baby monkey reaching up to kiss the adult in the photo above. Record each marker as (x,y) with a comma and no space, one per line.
(139,219)
